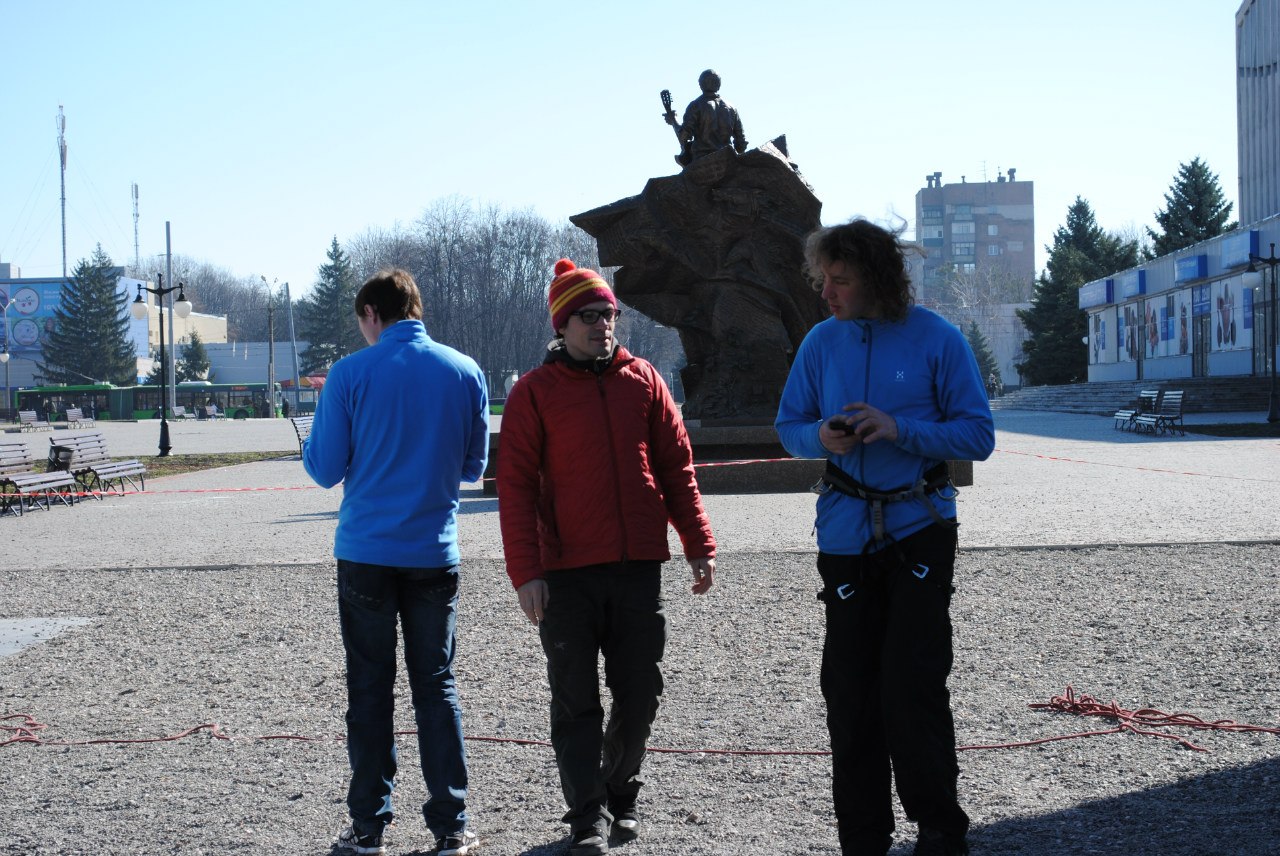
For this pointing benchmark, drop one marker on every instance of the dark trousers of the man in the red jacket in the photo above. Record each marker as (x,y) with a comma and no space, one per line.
(615,611)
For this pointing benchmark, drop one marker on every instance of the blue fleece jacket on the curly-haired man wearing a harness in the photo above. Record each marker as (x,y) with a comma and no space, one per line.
(924,374)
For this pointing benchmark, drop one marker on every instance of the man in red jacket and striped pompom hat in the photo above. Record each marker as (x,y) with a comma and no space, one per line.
(595,461)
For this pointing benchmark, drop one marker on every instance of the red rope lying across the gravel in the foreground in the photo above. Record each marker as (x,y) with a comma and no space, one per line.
(1139,722)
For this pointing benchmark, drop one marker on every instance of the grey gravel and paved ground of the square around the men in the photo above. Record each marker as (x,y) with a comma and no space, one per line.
(239,628)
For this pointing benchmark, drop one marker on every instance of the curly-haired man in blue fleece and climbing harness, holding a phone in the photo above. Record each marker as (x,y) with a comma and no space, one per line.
(888,392)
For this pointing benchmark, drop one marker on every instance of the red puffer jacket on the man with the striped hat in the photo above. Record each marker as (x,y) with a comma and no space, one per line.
(591,469)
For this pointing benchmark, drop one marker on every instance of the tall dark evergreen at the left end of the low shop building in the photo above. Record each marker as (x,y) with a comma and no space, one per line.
(1082,253)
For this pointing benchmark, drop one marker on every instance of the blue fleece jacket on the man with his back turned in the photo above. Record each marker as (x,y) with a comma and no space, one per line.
(400,424)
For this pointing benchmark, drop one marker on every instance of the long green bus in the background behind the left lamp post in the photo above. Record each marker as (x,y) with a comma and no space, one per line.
(108,402)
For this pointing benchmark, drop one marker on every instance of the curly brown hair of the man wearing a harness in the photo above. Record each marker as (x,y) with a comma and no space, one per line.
(876,254)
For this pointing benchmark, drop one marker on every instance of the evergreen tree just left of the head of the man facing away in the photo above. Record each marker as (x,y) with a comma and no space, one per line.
(327,318)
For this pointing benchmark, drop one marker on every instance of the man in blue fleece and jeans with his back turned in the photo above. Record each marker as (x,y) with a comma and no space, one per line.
(401,424)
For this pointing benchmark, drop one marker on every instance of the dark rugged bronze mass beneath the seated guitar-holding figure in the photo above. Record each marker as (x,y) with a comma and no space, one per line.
(717,253)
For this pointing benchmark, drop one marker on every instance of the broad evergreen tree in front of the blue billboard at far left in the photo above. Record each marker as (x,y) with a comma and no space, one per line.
(90,341)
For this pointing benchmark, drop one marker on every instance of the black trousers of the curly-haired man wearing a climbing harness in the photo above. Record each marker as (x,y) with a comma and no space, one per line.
(885,669)
